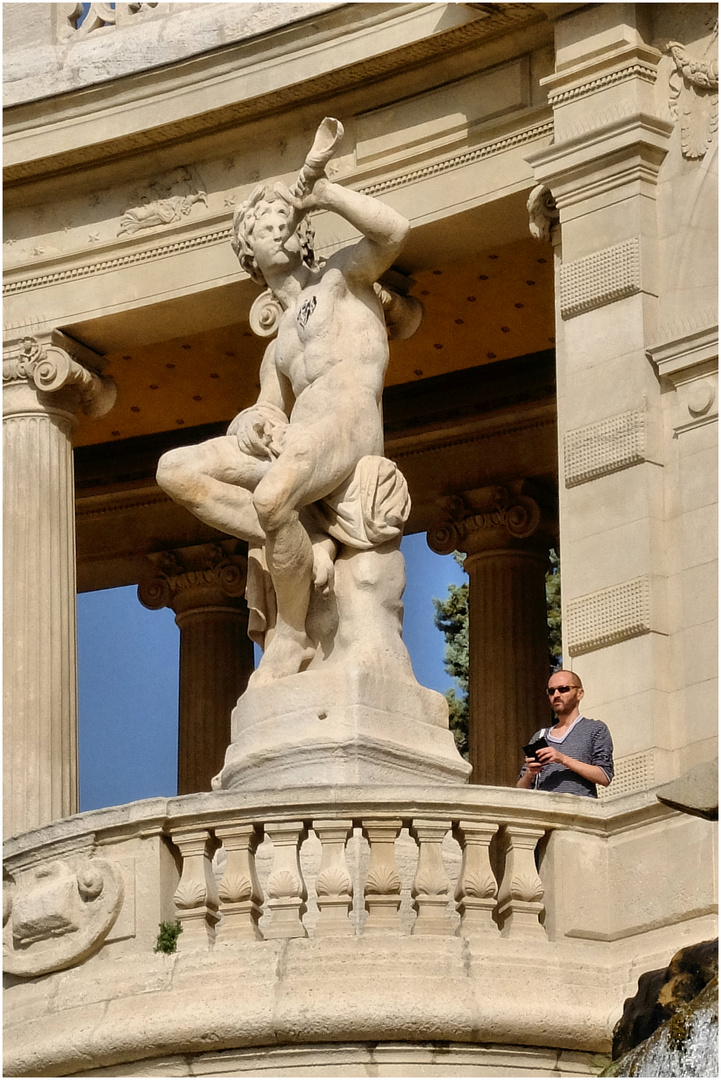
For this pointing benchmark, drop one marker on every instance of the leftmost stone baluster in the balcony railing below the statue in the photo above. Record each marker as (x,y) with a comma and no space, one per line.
(197,897)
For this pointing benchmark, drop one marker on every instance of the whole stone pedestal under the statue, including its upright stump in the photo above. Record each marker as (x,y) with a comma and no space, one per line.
(358,714)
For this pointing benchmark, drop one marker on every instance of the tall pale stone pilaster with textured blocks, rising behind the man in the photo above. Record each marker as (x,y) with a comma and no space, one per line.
(603,175)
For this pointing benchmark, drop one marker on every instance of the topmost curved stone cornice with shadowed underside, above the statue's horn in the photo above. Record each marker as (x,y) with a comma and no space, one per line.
(379,46)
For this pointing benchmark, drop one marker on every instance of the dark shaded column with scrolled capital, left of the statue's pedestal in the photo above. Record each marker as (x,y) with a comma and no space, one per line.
(206,587)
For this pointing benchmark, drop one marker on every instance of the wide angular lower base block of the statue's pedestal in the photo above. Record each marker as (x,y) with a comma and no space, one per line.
(341,725)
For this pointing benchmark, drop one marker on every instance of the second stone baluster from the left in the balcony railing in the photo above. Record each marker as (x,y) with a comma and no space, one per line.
(240,893)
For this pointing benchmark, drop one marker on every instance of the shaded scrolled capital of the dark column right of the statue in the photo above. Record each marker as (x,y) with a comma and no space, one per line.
(489,518)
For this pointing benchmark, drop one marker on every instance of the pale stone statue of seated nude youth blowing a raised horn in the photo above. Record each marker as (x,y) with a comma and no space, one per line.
(302,476)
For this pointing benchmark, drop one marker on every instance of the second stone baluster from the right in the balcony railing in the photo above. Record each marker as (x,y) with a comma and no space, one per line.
(478,888)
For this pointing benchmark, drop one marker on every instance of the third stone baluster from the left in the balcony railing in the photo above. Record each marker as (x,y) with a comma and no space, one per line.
(287,889)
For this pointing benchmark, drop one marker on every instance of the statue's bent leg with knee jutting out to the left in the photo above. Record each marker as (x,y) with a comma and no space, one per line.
(214,481)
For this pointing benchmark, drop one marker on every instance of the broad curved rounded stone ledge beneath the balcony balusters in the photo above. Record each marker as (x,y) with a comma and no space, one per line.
(303,992)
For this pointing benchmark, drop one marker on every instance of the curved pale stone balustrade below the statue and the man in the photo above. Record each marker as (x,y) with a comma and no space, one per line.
(356,861)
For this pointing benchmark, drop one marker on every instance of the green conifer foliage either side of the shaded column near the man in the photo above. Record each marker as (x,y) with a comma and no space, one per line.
(452,618)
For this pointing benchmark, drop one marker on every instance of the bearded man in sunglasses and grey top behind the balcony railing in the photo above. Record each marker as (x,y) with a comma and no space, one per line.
(579,754)
